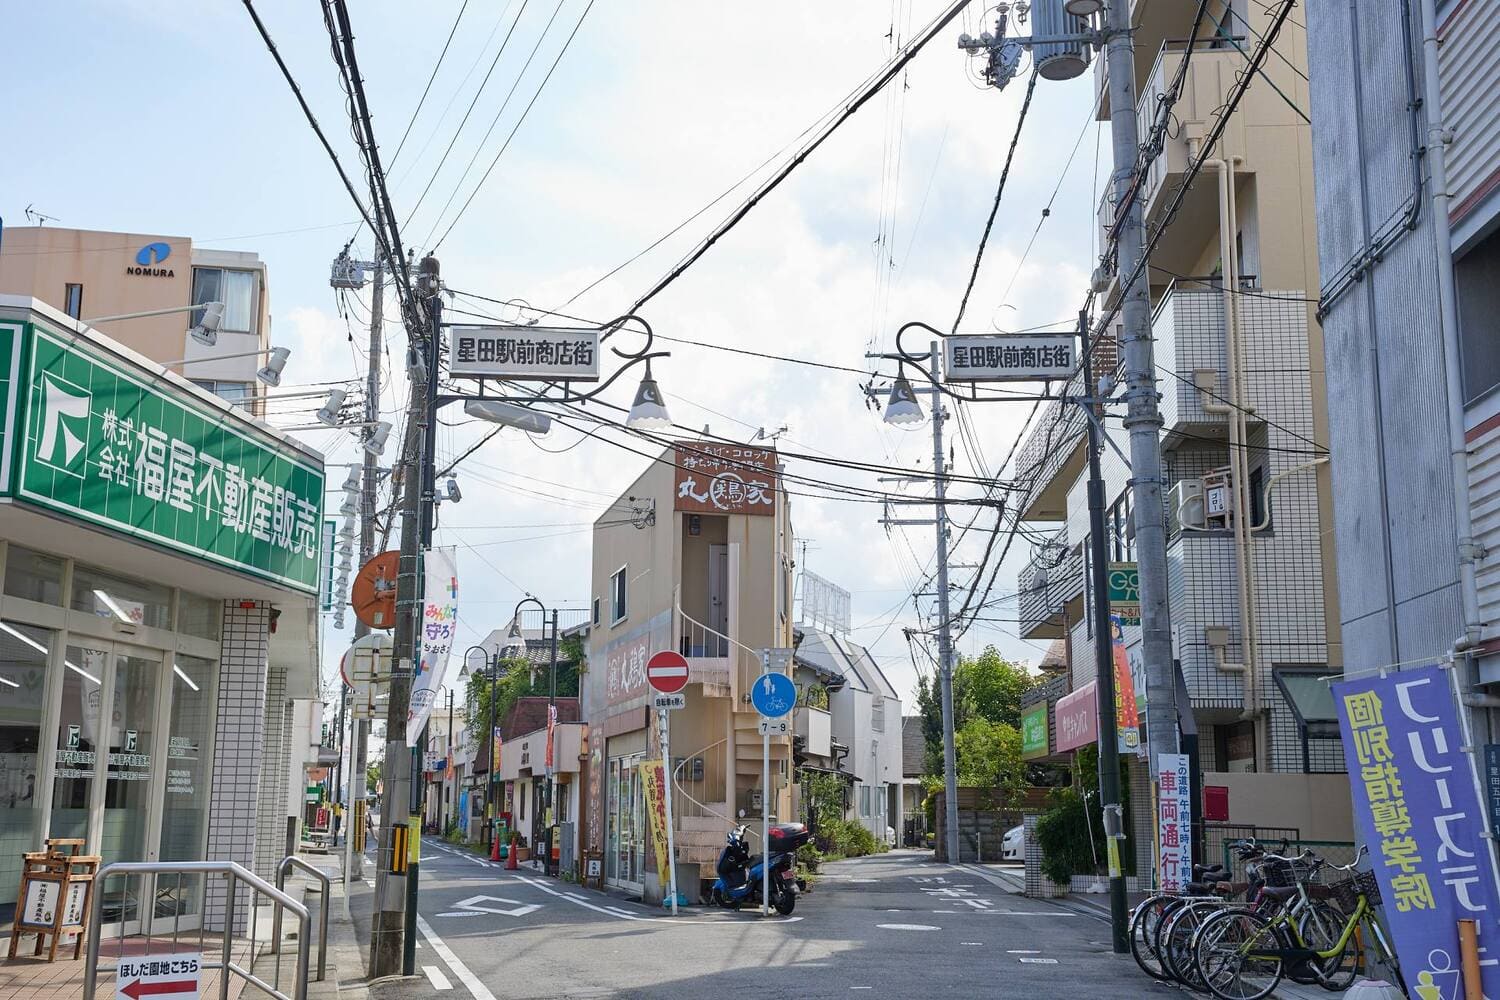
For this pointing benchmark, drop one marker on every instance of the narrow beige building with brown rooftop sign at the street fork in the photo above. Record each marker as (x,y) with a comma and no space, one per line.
(695,557)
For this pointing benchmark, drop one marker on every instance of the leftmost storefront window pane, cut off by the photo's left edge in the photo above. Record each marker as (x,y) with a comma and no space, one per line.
(23,683)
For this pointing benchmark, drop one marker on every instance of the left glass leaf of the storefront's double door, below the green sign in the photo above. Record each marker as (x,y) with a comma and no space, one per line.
(79,734)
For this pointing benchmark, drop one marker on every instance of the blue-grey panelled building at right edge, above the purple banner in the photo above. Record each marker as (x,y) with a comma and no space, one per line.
(1406,130)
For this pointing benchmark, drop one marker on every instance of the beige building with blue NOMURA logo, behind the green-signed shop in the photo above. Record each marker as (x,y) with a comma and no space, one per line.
(88,275)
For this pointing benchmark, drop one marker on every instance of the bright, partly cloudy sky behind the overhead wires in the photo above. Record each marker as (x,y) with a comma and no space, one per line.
(172,118)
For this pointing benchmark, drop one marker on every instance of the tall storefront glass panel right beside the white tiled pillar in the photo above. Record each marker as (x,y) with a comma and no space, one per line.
(190,758)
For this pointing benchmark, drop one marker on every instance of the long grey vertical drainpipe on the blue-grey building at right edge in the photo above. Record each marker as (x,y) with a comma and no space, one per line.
(1438,139)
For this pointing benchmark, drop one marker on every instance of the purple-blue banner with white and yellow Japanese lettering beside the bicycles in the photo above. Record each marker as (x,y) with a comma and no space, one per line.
(1421,818)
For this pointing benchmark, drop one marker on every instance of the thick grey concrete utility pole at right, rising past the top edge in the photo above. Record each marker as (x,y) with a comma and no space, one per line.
(1142,413)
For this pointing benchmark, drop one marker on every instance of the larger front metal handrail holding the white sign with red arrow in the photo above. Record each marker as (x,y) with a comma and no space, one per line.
(233,875)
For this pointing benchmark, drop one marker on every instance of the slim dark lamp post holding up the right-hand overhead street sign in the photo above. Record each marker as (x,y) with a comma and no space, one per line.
(1103,651)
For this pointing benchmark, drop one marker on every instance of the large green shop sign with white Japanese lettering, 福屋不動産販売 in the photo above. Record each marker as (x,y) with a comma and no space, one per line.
(134,455)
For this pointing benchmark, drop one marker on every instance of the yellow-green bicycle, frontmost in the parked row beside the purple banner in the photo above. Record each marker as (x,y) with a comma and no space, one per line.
(1244,956)
